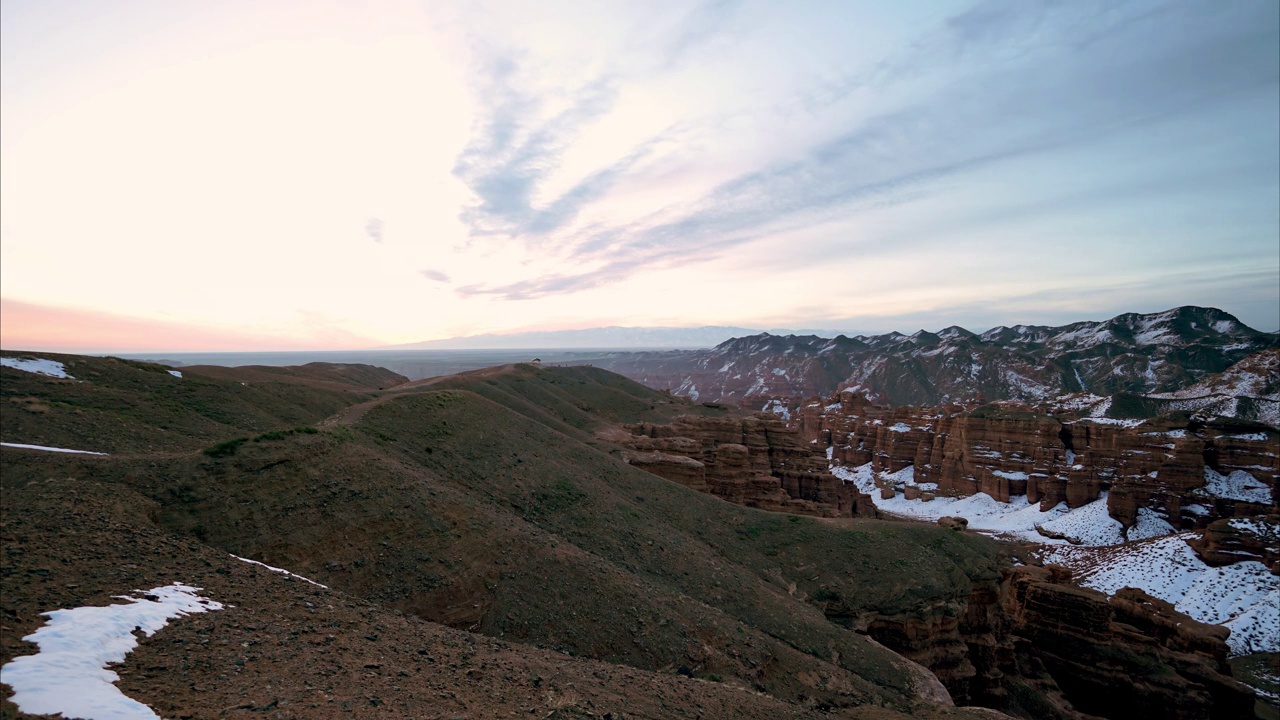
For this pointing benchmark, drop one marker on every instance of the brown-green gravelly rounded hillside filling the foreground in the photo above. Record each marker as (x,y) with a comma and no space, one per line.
(490,552)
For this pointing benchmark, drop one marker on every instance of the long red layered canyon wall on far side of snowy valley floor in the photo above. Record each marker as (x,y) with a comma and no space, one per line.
(1188,471)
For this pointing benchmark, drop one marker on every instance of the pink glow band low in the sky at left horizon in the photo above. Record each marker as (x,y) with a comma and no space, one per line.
(29,326)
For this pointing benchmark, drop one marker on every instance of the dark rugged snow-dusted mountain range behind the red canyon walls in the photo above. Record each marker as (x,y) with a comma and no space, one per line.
(1139,354)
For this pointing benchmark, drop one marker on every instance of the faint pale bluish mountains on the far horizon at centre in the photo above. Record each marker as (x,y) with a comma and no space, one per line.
(611,338)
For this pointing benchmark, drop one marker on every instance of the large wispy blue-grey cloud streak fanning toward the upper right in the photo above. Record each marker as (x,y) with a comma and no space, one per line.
(995,83)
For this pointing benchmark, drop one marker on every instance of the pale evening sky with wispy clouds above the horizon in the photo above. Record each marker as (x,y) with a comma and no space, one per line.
(337,175)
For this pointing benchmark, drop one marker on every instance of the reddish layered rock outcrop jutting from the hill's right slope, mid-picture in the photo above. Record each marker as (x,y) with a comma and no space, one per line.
(757,462)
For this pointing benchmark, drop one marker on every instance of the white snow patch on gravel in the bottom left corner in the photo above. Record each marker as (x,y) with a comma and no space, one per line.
(70,675)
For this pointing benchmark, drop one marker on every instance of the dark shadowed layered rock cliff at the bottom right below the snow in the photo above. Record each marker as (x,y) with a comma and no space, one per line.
(1035,645)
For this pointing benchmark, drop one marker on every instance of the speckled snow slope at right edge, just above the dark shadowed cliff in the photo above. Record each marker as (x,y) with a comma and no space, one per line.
(1244,598)
